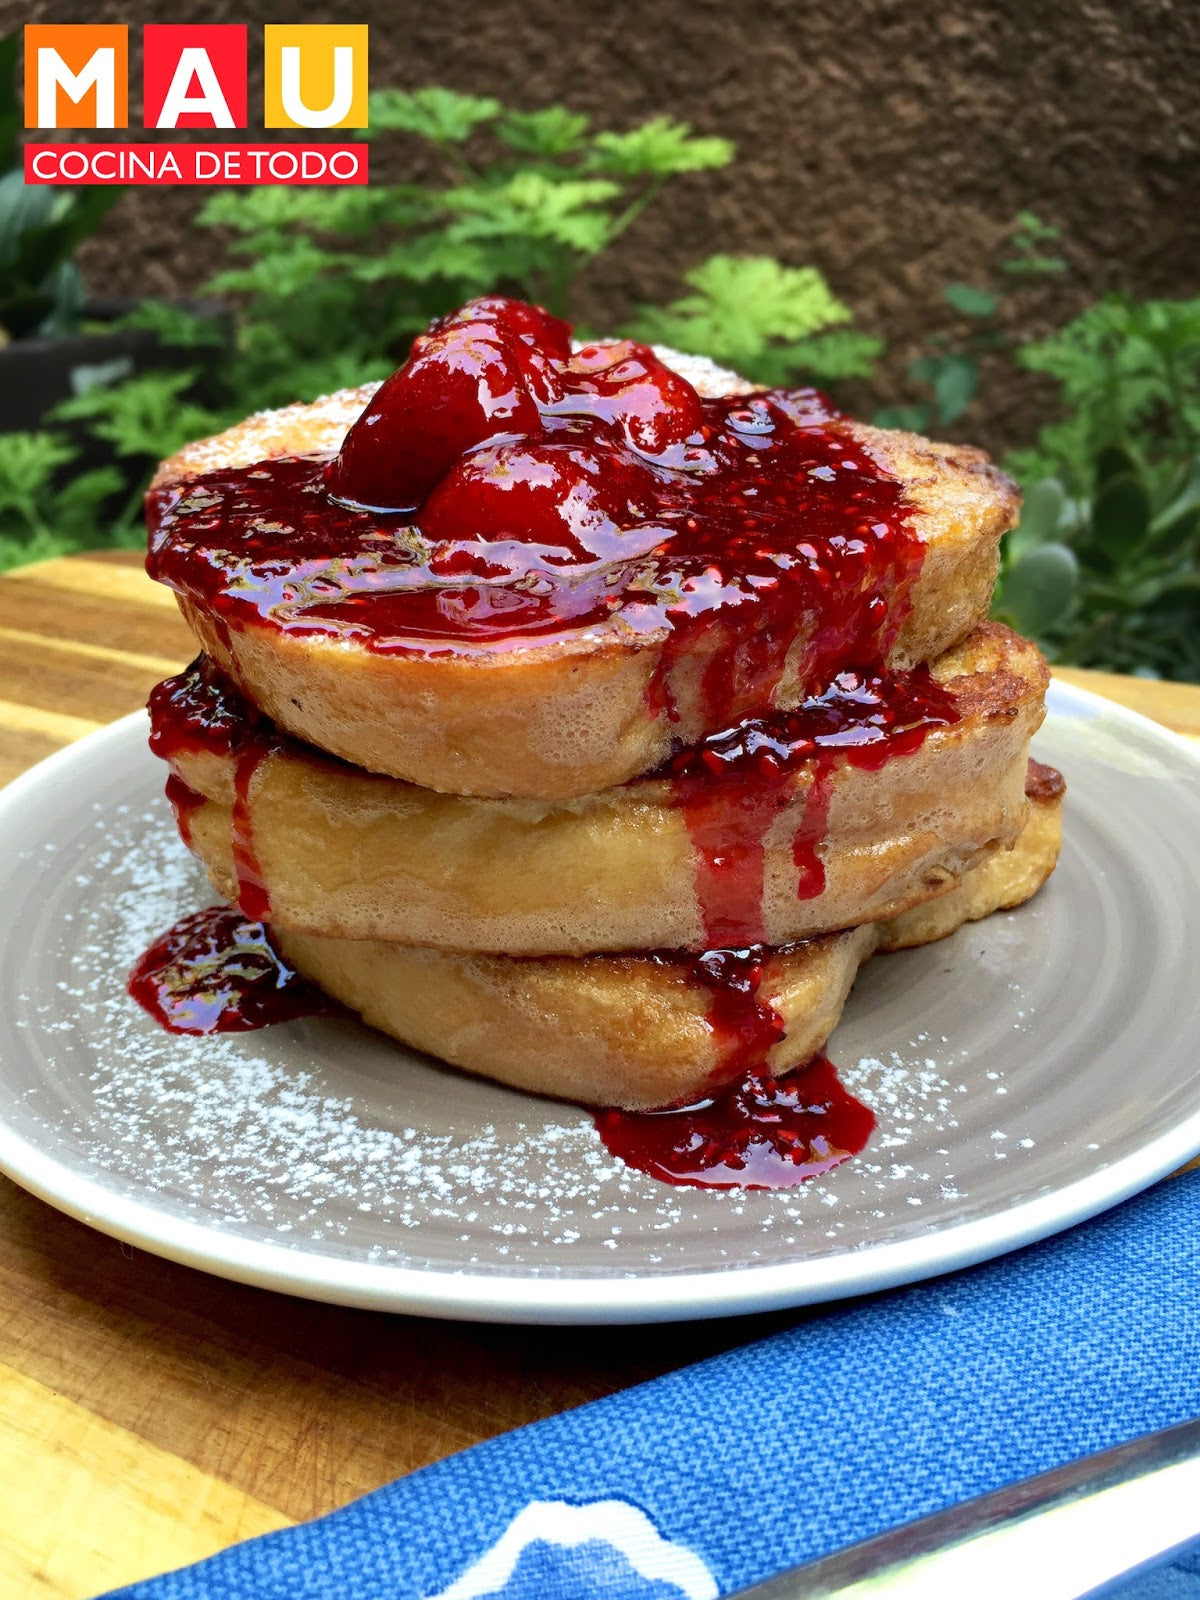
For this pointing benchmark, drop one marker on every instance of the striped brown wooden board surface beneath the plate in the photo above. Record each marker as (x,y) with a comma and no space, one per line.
(151,1415)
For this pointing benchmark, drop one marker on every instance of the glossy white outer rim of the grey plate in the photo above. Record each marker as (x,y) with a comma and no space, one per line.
(617,1298)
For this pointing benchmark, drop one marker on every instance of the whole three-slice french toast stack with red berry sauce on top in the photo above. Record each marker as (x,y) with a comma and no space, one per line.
(585,716)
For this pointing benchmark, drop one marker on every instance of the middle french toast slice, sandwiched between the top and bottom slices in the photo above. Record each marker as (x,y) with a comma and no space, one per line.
(351,855)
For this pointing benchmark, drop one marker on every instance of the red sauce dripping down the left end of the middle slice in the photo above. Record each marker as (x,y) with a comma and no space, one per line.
(204,711)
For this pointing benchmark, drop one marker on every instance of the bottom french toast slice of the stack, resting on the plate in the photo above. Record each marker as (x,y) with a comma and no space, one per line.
(634,1031)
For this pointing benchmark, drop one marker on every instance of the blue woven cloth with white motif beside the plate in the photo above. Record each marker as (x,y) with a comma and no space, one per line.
(850,1423)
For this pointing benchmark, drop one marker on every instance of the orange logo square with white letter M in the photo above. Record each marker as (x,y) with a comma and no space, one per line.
(78,76)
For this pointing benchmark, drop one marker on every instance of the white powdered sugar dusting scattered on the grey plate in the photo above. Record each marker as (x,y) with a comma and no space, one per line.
(324,1137)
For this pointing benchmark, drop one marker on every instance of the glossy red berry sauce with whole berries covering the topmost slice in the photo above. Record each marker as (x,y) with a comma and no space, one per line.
(503,490)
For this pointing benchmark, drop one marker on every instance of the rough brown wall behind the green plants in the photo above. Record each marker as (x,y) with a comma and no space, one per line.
(890,145)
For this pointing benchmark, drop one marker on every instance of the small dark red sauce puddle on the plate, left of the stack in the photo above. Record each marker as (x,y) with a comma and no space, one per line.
(217,972)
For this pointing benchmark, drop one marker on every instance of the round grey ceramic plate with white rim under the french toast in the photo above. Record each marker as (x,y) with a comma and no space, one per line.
(1026,1074)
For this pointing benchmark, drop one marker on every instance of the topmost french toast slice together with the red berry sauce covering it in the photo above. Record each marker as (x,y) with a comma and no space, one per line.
(554,620)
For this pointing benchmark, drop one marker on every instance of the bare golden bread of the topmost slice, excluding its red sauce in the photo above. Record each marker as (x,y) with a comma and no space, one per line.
(591,706)
